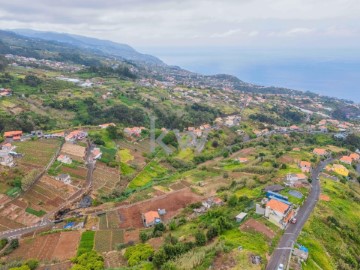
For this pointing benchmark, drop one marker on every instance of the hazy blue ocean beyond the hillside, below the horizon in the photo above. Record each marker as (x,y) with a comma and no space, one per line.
(327,72)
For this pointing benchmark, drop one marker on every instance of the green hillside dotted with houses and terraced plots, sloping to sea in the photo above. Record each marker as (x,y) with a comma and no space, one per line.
(127,165)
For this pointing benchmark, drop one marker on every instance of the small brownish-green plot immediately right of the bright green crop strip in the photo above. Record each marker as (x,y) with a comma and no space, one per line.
(106,240)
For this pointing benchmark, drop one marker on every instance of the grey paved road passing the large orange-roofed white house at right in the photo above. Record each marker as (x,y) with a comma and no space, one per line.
(283,251)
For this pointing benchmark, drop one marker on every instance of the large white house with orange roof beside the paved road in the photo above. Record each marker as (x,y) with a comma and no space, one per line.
(279,212)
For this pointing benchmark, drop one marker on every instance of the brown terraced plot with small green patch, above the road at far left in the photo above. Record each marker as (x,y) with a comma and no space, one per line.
(46,195)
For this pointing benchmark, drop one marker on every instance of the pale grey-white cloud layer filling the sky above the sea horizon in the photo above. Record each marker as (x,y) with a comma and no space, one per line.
(187,22)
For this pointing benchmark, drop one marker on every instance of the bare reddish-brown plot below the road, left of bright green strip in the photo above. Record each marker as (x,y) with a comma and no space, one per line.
(56,246)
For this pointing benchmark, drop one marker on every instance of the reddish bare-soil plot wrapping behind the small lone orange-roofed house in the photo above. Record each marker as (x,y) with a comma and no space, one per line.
(130,216)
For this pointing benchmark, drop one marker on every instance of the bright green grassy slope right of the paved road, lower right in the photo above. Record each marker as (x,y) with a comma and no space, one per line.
(332,244)
